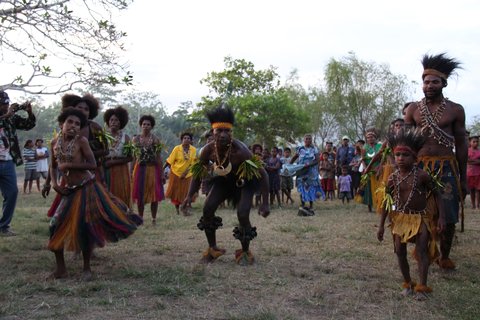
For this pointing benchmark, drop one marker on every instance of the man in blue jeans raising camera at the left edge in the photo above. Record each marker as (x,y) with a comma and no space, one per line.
(10,155)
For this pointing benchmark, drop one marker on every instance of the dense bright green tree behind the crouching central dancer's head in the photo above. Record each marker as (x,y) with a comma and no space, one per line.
(264,111)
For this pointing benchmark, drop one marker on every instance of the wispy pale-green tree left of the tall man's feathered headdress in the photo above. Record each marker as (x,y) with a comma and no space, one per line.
(364,94)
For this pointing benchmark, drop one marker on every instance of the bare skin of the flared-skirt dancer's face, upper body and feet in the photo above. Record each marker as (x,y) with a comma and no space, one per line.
(74,173)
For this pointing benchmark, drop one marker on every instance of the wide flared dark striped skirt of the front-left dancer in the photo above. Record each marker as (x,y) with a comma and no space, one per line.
(89,217)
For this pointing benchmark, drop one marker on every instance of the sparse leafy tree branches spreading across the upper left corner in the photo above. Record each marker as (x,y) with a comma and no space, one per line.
(61,43)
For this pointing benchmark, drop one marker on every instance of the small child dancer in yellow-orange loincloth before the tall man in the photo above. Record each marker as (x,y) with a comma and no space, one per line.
(411,202)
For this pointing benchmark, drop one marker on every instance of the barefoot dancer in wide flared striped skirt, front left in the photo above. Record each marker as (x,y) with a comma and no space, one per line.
(87,215)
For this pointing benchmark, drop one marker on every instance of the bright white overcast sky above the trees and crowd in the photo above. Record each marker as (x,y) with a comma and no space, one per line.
(174,44)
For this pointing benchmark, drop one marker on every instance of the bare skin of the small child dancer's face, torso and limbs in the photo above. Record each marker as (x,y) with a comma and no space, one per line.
(405,162)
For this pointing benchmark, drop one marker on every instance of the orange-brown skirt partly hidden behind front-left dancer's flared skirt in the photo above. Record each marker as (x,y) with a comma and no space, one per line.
(118,182)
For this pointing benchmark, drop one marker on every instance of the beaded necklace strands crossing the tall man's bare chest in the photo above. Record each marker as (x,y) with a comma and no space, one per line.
(430,124)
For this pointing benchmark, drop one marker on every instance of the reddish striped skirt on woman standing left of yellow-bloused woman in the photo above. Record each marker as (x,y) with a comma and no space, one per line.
(147,183)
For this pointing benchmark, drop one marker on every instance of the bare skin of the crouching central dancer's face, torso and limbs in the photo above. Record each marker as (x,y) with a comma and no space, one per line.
(219,193)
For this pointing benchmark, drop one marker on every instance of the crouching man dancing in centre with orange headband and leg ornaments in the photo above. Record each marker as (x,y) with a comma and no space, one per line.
(236,175)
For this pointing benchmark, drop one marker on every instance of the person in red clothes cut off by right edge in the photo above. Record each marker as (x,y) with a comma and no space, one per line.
(473,172)
